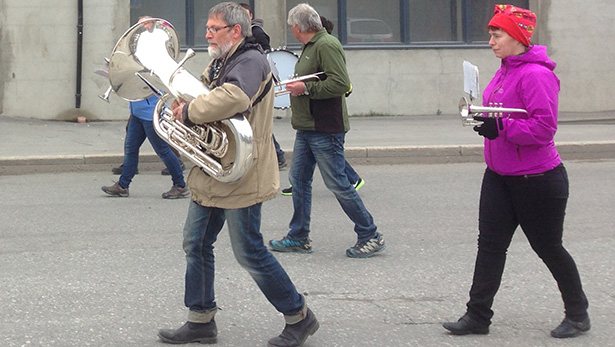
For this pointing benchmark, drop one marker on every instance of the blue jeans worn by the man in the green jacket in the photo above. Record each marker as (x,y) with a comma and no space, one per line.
(326,150)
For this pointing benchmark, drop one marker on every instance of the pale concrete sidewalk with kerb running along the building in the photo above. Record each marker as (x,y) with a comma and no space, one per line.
(30,145)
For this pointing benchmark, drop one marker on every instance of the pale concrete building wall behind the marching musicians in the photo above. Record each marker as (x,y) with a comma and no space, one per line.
(39,56)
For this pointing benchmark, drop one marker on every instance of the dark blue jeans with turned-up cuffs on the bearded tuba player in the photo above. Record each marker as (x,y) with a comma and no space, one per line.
(203,225)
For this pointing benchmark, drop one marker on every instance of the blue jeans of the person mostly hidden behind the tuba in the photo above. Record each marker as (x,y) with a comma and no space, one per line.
(139,129)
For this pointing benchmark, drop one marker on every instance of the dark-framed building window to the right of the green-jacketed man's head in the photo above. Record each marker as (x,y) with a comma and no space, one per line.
(407,23)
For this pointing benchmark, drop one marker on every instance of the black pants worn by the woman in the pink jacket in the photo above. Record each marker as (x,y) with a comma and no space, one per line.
(537,203)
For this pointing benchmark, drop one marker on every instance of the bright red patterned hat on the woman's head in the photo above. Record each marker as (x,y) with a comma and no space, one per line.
(517,22)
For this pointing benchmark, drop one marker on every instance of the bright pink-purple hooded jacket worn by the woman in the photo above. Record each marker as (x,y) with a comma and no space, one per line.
(525,145)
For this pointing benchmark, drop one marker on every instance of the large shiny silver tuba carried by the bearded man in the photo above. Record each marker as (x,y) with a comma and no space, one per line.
(143,62)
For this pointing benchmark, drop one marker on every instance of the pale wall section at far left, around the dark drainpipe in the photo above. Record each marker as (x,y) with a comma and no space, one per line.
(39,57)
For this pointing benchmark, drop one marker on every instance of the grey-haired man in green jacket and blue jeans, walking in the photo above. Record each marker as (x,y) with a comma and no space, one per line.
(319,115)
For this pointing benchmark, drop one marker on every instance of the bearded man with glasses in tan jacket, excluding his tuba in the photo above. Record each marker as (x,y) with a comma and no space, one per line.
(239,78)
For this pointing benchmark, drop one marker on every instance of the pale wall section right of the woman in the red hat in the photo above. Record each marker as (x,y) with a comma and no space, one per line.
(580,40)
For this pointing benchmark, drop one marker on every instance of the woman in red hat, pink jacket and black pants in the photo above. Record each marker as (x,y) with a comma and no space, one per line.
(525,183)
